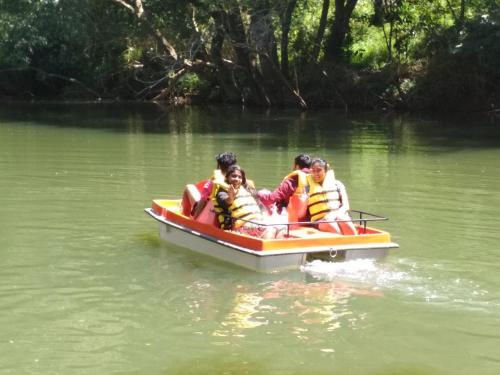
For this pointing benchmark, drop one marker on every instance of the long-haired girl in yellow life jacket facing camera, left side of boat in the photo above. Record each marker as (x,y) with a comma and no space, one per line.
(238,210)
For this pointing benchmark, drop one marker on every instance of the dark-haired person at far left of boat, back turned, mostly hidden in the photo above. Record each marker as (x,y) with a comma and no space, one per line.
(196,197)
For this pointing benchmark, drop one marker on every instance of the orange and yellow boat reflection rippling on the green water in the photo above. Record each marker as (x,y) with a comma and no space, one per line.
(307,304)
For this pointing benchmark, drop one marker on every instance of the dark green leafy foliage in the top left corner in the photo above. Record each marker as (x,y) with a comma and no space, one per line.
(70,38)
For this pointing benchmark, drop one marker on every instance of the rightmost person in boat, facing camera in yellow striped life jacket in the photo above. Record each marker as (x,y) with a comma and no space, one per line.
(327,200)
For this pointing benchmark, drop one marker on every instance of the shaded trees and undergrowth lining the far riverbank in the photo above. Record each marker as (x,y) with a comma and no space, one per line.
(390,54)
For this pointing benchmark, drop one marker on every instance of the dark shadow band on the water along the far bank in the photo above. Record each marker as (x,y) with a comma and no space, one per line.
(282,128)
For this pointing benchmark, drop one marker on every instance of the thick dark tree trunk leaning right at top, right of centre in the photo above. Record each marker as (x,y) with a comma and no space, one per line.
(339,29)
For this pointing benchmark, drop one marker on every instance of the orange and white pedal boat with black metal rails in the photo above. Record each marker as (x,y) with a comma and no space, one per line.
(300,245)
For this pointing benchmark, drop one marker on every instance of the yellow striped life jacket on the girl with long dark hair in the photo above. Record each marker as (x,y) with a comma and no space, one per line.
(244,206)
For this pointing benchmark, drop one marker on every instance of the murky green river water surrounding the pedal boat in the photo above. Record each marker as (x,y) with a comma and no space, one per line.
(86,286)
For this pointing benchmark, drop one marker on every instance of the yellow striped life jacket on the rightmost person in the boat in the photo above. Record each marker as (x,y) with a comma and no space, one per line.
(324,197)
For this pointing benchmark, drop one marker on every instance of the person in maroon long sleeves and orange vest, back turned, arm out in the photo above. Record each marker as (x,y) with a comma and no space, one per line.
(291,193)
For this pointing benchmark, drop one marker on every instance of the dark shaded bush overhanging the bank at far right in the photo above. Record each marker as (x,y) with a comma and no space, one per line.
(464,70)
